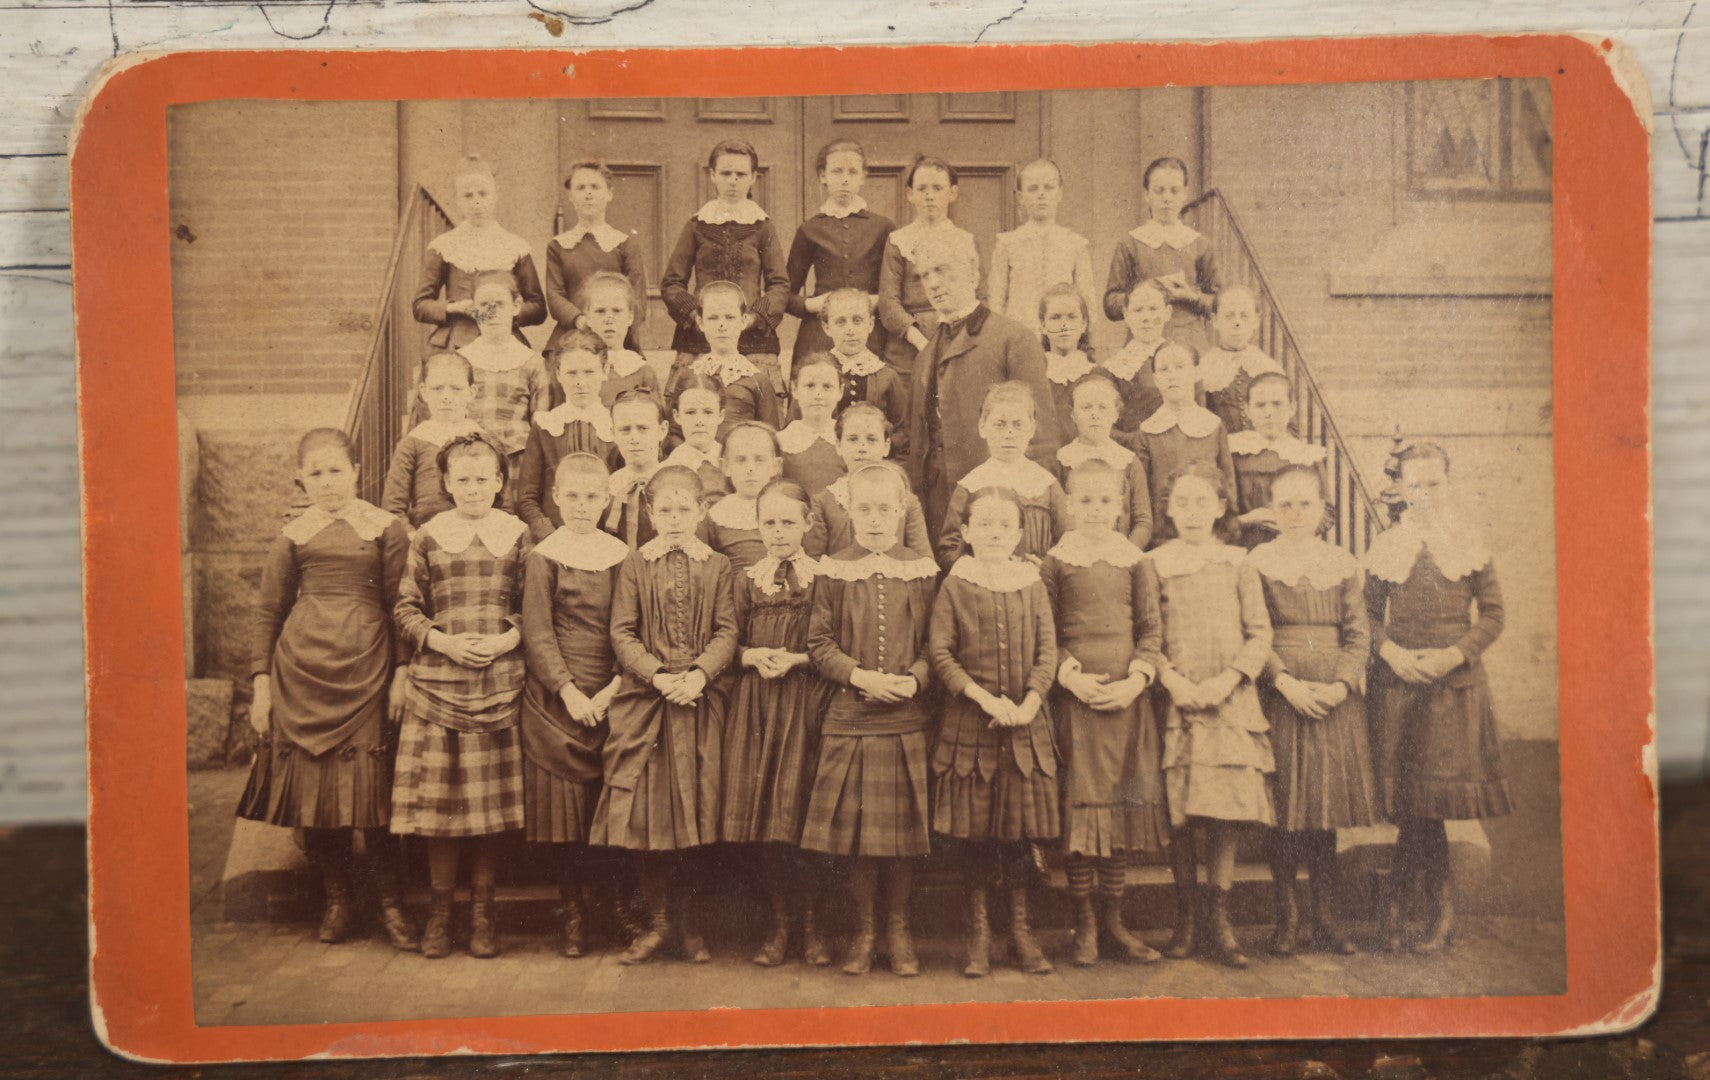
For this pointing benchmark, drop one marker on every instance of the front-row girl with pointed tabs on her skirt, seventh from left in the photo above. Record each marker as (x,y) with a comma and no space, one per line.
(994,649)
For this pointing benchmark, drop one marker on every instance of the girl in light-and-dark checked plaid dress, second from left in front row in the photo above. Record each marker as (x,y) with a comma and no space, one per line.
(459,753)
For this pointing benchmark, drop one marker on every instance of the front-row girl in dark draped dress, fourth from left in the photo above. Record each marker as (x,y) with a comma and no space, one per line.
(675,633)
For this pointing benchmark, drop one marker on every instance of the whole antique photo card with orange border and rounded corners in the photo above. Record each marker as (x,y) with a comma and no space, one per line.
(1251,637)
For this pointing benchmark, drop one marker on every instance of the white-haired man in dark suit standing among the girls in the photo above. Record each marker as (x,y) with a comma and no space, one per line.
(972,351)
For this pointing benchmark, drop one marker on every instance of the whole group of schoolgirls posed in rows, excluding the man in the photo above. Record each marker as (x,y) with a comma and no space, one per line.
(757,640)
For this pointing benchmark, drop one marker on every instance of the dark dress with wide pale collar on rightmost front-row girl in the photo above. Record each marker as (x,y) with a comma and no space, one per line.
(1436,746)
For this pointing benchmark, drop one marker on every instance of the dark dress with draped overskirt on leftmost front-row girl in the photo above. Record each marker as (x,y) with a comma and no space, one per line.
(322,633)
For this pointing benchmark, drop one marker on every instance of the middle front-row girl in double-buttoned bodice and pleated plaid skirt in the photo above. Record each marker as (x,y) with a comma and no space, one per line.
(868,637)
